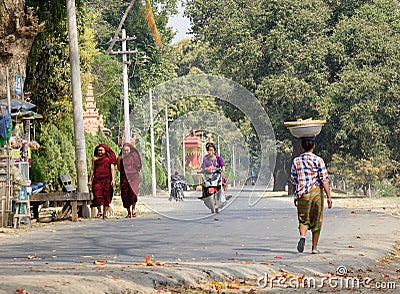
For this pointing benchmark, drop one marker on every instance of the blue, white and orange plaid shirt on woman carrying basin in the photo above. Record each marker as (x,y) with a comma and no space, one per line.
(308,172)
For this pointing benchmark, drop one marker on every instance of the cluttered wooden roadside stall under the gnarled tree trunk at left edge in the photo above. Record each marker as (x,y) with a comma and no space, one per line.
(15,160)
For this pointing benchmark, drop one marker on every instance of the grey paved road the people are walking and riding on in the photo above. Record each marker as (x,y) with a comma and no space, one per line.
(184,231)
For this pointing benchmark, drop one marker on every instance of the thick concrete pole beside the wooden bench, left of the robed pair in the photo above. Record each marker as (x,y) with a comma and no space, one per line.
(79,134)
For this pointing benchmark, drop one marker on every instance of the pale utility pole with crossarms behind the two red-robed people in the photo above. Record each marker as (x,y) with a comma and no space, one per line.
(125,63)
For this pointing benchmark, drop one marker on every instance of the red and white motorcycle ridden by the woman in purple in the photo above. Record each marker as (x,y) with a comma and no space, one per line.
(212,191)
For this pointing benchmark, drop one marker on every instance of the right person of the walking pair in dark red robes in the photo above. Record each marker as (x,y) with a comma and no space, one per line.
(129,164)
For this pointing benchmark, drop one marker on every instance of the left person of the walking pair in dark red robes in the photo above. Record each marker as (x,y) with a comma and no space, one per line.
(102,178)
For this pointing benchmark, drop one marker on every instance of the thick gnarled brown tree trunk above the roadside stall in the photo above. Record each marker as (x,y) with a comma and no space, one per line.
(18,28)
